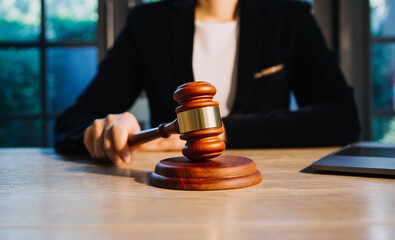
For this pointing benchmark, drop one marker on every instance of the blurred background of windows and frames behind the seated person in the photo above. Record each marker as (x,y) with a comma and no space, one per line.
(50,49)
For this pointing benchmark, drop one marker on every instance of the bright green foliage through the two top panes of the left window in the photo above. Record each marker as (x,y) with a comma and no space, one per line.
(71,20)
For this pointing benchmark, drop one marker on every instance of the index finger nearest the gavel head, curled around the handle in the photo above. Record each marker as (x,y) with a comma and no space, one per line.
(121,130)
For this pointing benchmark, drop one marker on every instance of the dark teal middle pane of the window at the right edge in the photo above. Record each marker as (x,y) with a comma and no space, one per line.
(383,75)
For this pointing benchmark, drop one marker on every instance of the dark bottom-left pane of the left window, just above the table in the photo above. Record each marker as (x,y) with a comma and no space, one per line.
(21,133)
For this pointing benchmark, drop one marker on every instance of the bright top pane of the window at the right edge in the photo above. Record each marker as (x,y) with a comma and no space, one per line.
(382,18)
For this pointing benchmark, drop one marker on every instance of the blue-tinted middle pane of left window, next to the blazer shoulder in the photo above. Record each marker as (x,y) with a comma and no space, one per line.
(69,72)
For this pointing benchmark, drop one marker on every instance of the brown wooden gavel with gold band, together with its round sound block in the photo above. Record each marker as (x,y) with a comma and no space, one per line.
(199,123)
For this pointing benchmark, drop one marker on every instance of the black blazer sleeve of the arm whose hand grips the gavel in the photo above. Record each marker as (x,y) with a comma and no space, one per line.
(113,90)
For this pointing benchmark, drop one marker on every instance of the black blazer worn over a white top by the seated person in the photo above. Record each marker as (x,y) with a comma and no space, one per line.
(154,53)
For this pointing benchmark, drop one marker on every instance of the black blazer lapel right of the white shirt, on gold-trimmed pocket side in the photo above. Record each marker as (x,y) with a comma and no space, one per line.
(252,26)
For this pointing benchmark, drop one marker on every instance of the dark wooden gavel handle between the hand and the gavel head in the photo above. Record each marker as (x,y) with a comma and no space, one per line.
(164,130)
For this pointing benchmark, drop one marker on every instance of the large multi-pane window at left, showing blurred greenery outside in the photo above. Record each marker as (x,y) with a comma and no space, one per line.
(48,55)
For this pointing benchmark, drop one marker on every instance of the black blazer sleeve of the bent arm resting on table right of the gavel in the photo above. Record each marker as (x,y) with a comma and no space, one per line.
(327,112)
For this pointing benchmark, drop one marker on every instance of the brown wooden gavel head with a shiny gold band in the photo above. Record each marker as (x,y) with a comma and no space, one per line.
(199,120)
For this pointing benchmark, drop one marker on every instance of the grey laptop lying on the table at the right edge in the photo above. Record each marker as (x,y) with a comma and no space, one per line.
(360,157)
